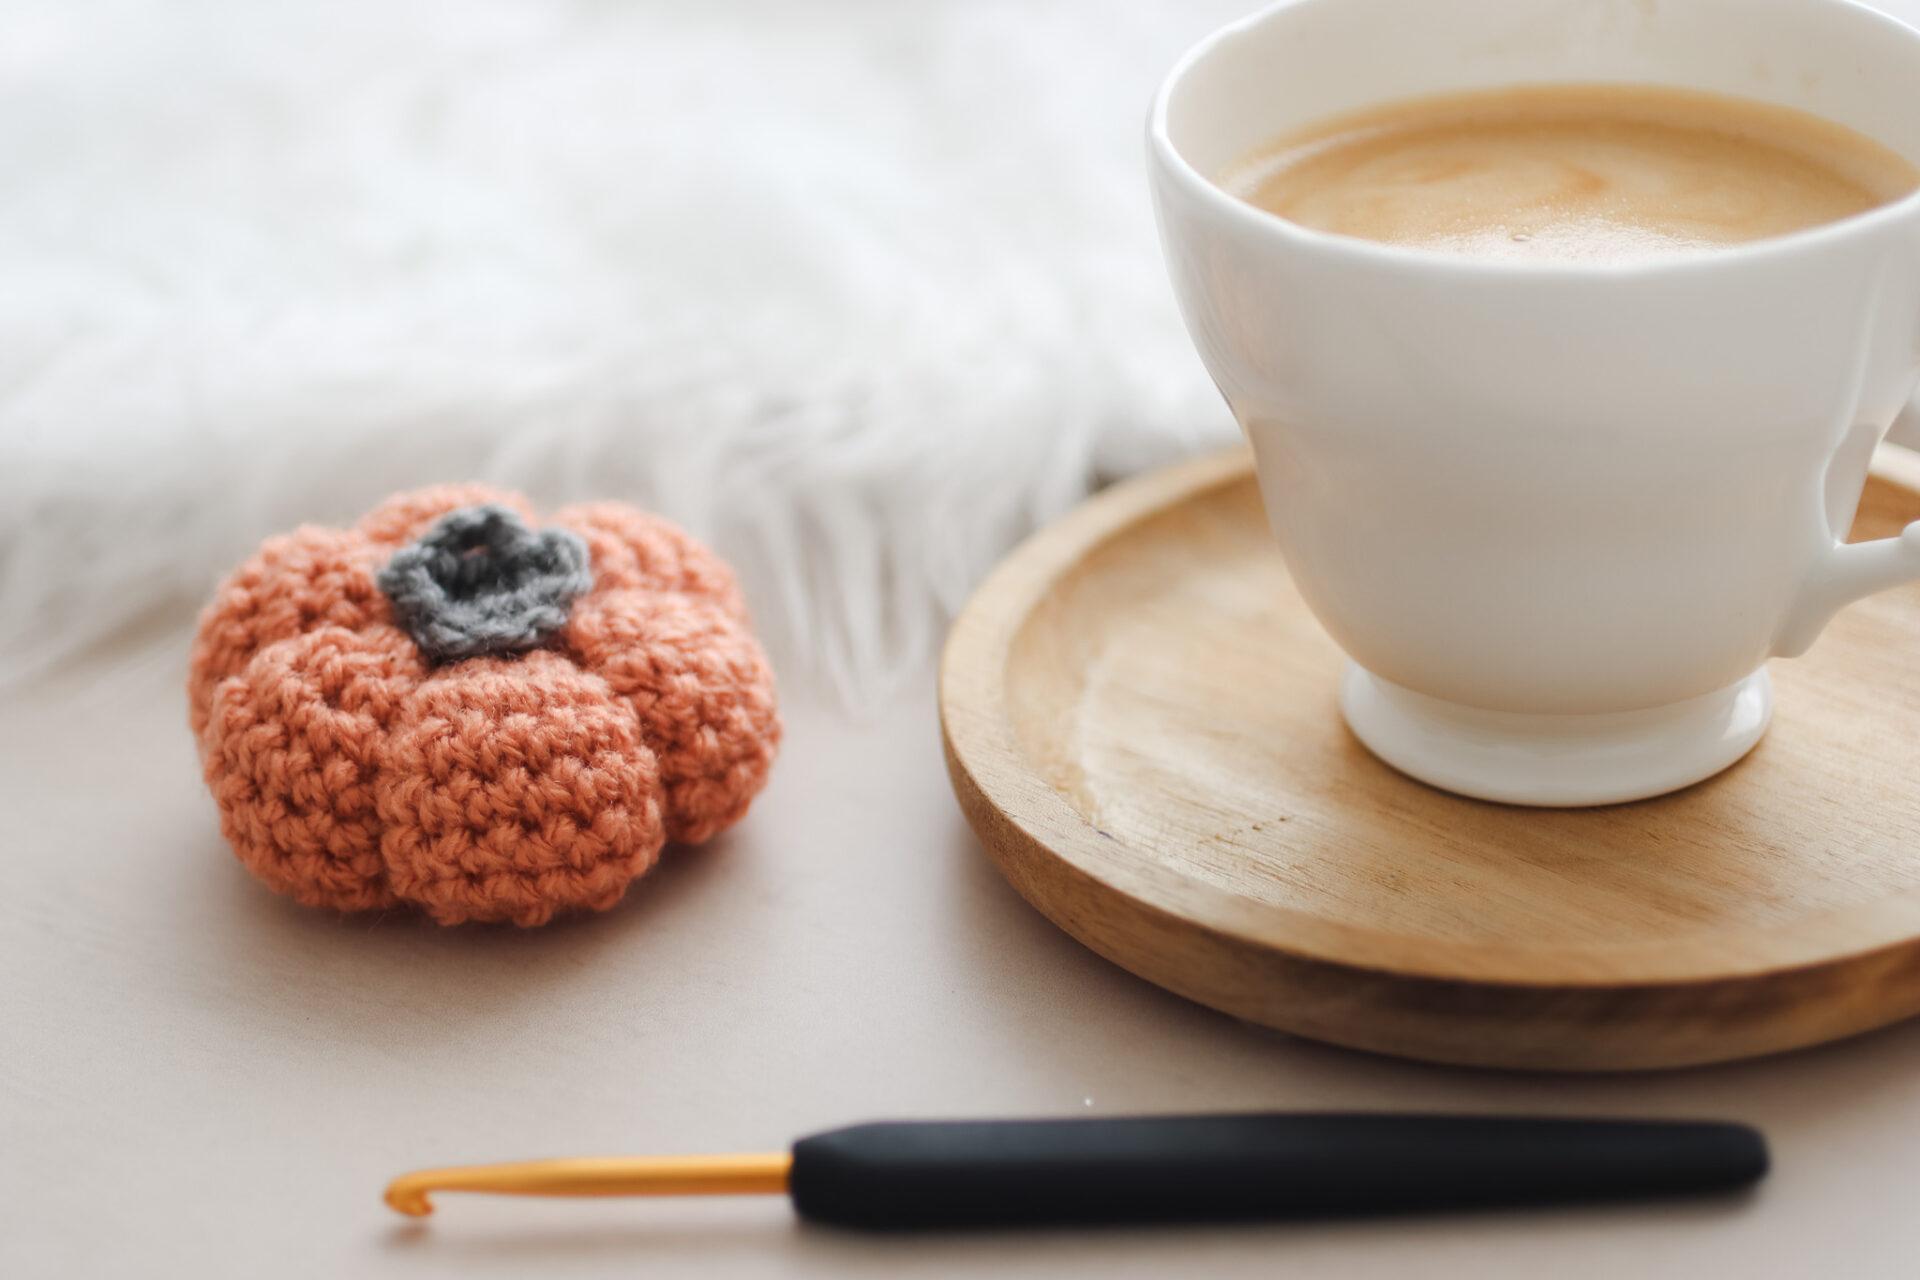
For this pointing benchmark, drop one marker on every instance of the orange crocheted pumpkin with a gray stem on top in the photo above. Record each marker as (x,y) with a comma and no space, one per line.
(450,709)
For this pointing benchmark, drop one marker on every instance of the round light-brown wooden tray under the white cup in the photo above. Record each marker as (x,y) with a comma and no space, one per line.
(1141,724)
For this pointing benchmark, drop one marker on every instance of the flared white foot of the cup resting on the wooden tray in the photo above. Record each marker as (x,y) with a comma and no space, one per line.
(1556,761)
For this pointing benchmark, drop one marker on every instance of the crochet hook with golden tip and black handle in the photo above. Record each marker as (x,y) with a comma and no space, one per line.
(1174,1168)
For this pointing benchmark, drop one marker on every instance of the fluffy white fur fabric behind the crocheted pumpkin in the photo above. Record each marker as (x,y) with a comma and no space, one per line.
(859,291)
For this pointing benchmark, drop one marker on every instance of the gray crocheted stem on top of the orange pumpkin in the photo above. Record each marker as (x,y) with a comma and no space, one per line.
(483,582)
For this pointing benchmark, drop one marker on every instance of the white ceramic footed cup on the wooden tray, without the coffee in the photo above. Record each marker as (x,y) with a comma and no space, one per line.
(1558,515)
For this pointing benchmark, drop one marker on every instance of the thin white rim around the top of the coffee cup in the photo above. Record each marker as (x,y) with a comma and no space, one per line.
(1399,256)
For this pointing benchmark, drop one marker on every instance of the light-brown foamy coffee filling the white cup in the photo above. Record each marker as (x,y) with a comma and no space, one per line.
(1572,174)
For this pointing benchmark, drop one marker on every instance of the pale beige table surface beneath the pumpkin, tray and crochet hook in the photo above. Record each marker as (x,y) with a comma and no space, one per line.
(203,1079)
